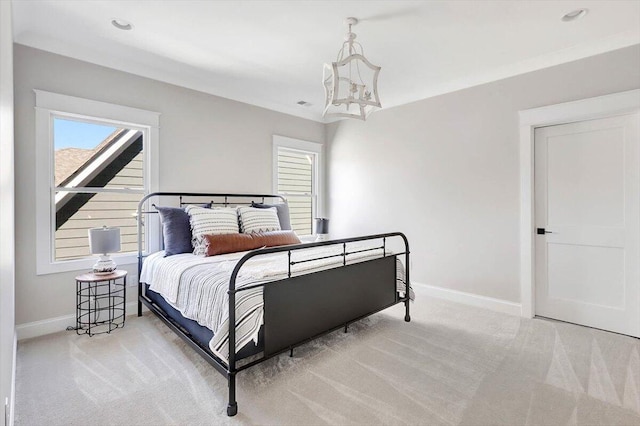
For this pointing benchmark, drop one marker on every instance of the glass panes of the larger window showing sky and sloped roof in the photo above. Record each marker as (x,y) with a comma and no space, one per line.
(92,157)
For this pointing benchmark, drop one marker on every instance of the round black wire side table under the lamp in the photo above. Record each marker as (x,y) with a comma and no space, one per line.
(100,302)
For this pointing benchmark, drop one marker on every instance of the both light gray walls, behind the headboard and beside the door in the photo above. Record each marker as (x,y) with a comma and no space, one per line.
(443,170)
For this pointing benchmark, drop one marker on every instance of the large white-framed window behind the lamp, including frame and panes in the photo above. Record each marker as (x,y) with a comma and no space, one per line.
(94,164)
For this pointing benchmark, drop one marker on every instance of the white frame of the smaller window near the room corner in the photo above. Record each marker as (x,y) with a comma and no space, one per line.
(306,147)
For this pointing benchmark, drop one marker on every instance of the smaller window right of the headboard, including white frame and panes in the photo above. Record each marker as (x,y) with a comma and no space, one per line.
(298,177)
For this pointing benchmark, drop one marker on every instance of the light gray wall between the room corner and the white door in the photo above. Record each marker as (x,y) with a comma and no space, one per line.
(445,171)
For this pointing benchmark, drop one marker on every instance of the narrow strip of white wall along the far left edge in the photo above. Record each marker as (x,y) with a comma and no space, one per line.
(7,242)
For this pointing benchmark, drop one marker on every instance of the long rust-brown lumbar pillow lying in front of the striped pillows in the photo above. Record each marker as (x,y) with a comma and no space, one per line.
(232,243)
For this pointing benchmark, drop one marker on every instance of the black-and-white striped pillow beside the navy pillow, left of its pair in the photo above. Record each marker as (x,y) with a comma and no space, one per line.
(210,221)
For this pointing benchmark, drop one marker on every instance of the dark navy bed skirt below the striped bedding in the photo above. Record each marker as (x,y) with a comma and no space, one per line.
(201,334)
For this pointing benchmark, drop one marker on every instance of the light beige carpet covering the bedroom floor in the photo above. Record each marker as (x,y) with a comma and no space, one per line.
(452,365)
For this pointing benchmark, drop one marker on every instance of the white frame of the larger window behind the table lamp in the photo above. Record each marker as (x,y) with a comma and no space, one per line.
(52,105)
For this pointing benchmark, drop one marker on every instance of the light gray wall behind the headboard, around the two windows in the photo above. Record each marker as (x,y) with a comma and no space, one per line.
(207,143)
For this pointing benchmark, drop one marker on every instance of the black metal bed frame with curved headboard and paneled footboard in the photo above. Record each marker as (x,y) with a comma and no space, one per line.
(320,302)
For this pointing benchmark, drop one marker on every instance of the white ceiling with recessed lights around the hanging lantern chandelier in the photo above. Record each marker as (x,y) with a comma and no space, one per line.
(270,53)
